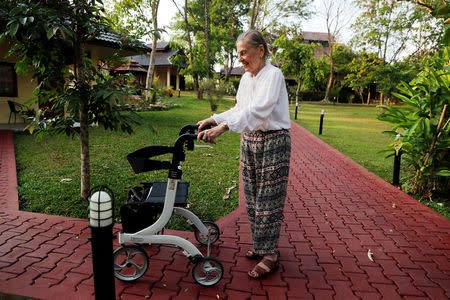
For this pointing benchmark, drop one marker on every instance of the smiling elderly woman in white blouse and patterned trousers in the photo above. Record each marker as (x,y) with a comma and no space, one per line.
(262,114)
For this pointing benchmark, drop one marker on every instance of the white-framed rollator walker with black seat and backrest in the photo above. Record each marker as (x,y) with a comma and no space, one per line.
(141,225)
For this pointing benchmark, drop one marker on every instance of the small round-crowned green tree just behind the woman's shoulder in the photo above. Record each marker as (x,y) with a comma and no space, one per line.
(297,60)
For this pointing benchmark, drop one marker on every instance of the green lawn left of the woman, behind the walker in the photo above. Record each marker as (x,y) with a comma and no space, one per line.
(49,168)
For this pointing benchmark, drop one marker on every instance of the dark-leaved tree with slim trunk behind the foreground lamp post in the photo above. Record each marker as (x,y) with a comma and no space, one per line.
(50,37)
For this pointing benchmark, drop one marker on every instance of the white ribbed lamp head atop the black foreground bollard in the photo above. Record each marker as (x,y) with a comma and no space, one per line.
(100,209)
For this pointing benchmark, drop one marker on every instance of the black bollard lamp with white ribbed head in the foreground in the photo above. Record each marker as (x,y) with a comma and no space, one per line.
(101,221)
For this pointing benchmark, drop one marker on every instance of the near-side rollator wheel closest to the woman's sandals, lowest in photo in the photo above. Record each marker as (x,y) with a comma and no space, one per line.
(207,271)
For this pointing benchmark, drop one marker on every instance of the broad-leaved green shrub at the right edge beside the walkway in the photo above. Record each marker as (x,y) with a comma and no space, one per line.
(425,145)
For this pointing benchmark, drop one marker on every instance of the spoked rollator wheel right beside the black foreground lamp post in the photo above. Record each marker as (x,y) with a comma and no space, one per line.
(130,262)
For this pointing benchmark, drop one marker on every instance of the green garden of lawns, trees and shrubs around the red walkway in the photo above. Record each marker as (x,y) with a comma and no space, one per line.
(413,94)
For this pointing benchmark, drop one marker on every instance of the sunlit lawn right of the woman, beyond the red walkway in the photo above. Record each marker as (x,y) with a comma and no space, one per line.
(356,132)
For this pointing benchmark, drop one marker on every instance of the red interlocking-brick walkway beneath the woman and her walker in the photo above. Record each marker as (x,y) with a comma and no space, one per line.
(335,212)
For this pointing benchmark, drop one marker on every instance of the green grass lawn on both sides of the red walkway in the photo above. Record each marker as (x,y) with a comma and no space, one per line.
(48,169)
